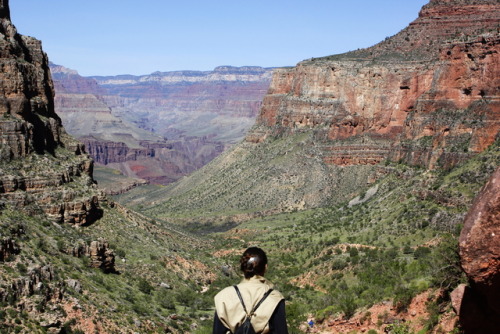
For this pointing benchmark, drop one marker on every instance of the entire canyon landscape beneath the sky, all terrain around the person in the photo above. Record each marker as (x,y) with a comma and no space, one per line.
(370,178)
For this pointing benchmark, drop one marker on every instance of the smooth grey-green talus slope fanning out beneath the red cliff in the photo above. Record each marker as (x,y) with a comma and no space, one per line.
(253,179)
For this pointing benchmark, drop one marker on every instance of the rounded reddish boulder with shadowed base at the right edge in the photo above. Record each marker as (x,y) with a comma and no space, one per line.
(479,304)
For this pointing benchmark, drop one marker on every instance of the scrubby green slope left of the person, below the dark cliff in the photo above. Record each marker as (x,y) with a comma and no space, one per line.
(148,254)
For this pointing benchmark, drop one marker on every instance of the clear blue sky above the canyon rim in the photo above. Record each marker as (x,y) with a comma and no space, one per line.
(110,37)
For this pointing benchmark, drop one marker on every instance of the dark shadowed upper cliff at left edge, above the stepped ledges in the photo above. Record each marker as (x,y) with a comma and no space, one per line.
(28,122)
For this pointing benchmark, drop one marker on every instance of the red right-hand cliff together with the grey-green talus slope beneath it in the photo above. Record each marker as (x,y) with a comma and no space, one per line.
(427,96)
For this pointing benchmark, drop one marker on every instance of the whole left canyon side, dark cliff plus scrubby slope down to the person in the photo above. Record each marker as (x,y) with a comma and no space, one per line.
(70,260)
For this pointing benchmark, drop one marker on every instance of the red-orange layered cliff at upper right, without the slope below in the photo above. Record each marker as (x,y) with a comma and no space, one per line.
(427,96)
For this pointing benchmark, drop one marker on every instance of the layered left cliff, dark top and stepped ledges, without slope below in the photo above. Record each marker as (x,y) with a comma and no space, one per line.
(42,169)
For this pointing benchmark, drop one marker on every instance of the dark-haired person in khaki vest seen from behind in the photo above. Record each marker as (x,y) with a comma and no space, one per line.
(230,314)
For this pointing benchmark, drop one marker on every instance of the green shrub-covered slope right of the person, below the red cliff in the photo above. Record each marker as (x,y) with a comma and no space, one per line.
(397,241)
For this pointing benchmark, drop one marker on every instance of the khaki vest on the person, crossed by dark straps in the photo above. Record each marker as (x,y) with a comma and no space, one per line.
(231,313)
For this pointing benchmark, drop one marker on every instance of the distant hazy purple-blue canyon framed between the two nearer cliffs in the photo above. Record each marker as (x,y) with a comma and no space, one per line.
(162,126)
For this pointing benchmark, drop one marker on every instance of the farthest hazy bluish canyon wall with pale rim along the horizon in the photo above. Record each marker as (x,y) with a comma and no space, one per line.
(222,103)
